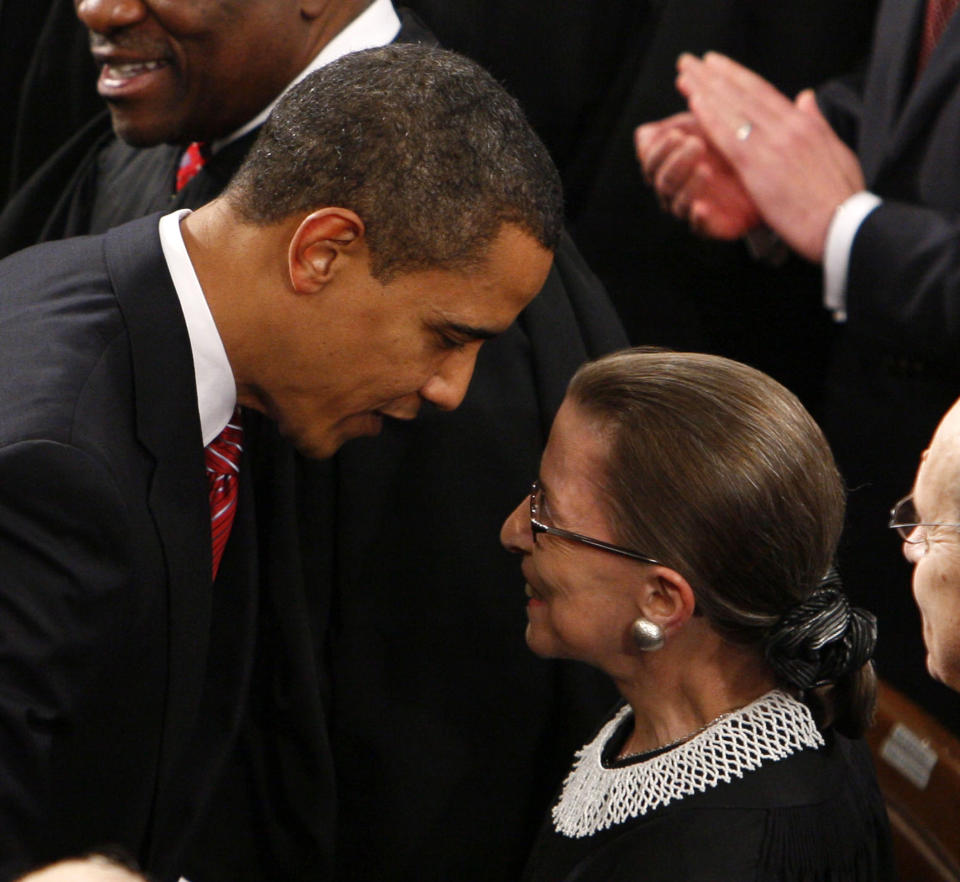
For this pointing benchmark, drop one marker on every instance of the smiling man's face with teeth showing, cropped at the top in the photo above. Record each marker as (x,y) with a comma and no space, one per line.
(192,70)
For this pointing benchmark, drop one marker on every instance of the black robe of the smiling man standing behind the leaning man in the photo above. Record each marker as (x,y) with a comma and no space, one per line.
(398,726)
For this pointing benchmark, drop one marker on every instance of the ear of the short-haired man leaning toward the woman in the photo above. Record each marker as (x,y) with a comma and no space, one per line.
(319,246)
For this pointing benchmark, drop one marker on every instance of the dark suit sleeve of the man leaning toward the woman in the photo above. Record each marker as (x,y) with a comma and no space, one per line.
(63,547)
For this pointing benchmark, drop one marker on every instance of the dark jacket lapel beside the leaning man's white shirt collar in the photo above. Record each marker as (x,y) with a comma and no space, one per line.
(167,424)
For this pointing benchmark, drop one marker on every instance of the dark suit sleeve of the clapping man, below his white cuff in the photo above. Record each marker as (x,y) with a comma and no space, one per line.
(903,286)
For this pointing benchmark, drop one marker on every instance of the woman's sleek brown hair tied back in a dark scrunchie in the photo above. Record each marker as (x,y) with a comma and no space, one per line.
(718,471)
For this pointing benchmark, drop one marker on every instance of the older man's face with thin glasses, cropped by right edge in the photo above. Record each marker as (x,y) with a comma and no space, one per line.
(936,559)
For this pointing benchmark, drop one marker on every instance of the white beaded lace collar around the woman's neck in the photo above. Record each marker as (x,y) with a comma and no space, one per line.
(595,797)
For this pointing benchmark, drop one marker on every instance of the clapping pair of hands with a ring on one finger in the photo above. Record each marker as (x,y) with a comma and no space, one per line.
(746,154)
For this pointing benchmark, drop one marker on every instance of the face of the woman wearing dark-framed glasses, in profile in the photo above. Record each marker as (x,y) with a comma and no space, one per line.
(580,606)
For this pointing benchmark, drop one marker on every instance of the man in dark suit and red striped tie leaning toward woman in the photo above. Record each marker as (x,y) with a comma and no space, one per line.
(313,293)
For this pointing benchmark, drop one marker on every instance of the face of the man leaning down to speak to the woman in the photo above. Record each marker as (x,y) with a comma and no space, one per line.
(368,350)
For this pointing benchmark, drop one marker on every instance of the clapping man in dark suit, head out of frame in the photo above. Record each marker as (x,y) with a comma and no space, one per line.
(862,179)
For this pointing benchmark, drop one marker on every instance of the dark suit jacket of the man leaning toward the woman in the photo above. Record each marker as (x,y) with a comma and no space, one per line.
(122,672)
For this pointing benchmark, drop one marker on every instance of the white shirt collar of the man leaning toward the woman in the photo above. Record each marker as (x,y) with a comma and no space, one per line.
(216,388)
